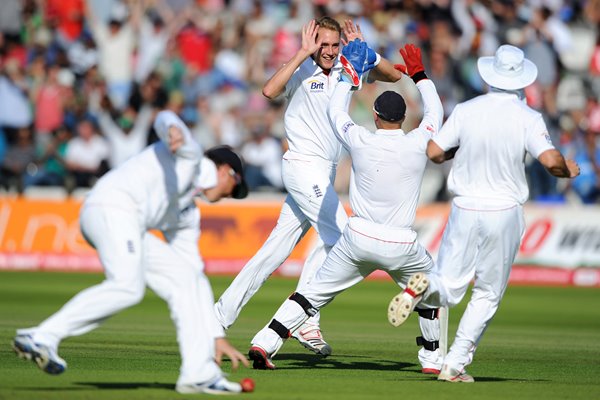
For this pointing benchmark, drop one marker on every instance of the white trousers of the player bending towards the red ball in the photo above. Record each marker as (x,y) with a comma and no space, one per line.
(131,257)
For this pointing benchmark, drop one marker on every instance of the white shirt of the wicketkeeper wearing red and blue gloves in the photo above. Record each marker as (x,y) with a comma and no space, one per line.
(387,165)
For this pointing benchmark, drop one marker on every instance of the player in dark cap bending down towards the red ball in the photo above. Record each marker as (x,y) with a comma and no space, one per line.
(152,190)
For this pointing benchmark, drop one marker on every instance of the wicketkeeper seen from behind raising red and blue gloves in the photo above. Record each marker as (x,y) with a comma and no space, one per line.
(388,167)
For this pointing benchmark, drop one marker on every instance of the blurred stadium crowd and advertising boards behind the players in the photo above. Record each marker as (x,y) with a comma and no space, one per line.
(80,81)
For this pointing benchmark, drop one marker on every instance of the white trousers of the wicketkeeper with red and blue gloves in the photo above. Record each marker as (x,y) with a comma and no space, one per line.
(364,247)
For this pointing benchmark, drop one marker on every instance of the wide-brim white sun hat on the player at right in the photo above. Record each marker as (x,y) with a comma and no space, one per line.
(508,69)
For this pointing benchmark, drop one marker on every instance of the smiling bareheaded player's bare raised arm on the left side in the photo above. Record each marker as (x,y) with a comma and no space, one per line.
(310,44)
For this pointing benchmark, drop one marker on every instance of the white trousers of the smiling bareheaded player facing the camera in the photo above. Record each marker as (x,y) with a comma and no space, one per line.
(311,201)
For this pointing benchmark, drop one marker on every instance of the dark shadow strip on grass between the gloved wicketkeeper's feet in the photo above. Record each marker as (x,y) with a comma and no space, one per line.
(297,360)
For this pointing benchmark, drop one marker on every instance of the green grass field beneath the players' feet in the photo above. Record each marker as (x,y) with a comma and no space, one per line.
(544,343)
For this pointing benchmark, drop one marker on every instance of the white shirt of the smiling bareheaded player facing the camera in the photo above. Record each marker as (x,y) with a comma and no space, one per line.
(307,127)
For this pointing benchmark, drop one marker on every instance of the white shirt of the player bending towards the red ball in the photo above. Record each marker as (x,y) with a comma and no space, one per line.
(157,184)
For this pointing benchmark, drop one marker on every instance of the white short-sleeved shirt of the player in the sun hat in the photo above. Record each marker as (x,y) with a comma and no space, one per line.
(493,131)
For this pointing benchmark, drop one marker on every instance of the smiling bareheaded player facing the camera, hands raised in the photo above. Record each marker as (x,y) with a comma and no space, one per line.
(309,166)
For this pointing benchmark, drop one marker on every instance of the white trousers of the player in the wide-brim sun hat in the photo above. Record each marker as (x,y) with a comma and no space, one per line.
(481,244)
